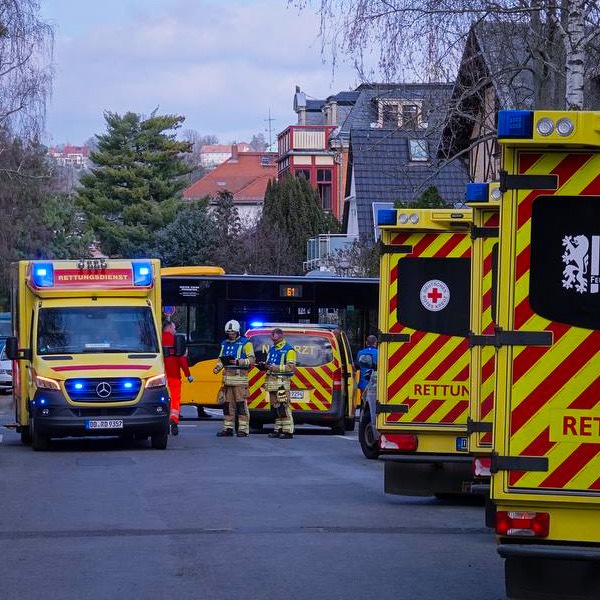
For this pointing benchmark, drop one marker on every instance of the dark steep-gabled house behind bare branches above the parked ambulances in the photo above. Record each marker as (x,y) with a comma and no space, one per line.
(499,69)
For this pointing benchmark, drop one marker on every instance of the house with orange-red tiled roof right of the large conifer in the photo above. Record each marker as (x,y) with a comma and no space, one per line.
(245,175)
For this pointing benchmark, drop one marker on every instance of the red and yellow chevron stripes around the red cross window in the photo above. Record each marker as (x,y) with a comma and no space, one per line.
(430,373)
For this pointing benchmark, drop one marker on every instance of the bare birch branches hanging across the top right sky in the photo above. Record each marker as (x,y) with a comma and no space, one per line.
(424,39)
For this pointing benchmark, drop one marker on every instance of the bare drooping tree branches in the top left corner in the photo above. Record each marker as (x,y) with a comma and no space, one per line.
(26,47)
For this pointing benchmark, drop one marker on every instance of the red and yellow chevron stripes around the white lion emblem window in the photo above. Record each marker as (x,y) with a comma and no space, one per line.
(549,383)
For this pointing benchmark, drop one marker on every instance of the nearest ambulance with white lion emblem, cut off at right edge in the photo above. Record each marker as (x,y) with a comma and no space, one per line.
(546,438)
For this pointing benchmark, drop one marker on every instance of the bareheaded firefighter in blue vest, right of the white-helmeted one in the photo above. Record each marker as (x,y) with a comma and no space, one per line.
(279,367)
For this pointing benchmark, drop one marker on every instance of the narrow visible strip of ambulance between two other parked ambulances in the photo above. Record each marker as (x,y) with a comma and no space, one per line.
(483,198)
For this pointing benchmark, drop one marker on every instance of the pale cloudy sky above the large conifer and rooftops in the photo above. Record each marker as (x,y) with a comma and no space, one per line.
(223,64)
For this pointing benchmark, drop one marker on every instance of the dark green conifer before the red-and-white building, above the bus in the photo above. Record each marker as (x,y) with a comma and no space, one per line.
(291,215)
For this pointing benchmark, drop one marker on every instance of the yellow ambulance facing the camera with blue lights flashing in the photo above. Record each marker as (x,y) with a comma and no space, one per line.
(87,352)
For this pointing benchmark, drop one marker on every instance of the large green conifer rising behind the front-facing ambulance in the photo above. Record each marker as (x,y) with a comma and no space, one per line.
(135,188)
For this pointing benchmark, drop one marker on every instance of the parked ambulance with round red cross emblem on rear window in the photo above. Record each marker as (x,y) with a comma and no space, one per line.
(422,399)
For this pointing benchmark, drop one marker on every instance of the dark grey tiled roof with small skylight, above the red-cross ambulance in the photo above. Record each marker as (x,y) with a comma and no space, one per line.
(384,173)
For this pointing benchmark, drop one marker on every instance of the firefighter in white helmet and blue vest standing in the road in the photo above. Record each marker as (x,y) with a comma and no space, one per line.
(236,357)
